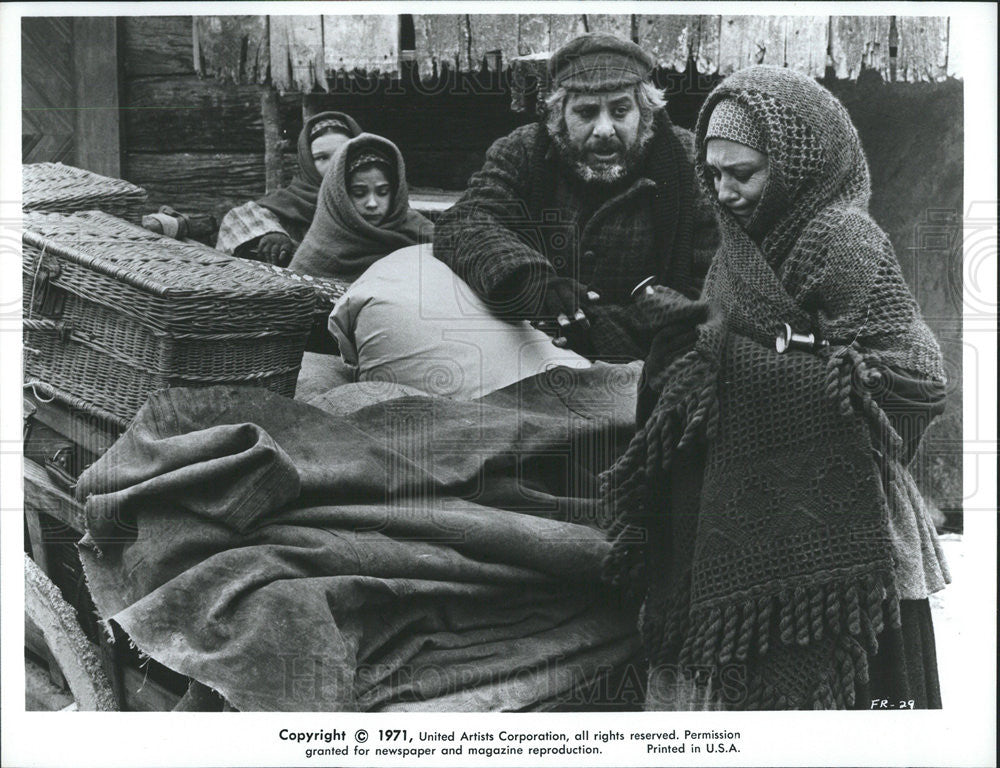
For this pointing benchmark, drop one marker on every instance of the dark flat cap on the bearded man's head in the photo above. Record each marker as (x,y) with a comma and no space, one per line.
(599,62)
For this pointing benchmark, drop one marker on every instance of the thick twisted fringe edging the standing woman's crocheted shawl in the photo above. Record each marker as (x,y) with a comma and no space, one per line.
(853,612)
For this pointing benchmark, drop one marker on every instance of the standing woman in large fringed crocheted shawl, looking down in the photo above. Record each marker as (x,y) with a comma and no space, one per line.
(763,513)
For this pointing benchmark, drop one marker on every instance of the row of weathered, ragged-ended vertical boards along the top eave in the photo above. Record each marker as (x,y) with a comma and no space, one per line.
(305,52)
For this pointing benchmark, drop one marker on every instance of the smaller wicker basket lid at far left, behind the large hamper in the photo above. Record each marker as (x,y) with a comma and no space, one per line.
(63,189)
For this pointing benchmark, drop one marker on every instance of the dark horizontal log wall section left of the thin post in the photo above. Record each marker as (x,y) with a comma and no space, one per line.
(196,144)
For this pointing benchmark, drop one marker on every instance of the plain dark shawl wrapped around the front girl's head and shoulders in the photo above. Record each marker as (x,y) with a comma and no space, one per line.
(340,243)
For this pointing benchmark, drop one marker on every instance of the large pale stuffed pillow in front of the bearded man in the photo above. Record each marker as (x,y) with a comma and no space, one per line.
(408,319)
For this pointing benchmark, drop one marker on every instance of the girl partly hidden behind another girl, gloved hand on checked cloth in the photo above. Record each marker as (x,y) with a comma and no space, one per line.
(272,228)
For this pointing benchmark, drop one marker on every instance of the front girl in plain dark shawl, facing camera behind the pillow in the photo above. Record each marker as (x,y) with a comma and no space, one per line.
(344,240)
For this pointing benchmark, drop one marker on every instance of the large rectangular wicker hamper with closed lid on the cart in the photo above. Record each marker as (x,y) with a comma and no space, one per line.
(113,312)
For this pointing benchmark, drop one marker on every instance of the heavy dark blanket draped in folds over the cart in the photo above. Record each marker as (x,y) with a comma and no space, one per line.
(418,554)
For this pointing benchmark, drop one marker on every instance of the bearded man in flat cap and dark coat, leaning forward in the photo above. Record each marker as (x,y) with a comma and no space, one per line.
(568,215)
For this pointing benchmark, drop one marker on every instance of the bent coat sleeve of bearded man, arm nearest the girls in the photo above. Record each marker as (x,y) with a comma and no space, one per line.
(485,238)
